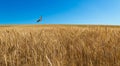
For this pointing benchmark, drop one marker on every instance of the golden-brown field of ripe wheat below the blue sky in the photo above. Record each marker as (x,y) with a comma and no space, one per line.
(60,45)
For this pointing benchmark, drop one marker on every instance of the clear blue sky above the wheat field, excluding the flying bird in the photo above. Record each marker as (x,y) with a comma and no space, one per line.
(60,11)
